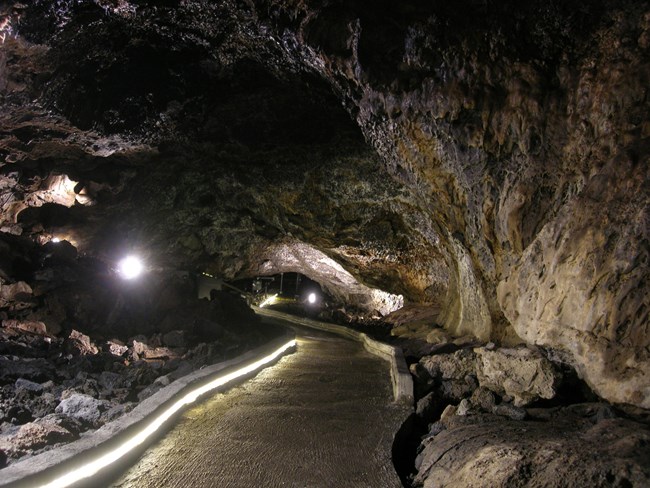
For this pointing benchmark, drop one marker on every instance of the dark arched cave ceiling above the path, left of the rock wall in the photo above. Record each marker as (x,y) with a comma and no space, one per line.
(198,143)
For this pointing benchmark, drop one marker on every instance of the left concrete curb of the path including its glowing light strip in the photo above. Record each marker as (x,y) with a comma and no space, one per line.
(80,460)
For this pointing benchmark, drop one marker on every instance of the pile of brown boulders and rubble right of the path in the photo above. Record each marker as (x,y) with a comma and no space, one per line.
(495,416)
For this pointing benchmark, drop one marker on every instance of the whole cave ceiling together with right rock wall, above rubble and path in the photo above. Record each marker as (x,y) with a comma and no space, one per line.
(488,158)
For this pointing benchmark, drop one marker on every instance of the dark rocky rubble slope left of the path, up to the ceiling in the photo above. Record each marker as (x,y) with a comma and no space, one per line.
(68,363)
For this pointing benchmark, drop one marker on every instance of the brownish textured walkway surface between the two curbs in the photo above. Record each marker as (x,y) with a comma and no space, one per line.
(322,417)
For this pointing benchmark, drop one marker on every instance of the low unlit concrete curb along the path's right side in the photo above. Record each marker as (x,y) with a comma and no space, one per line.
(399,372)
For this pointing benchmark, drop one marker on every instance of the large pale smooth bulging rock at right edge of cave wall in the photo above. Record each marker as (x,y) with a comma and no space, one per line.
(580,288)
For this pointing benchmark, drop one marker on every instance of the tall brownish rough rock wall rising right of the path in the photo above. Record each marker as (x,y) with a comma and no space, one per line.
(526,130)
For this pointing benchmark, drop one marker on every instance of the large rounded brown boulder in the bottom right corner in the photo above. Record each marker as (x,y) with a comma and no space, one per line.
(569,451)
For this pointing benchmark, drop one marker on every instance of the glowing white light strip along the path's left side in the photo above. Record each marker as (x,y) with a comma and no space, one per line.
(93,467)
